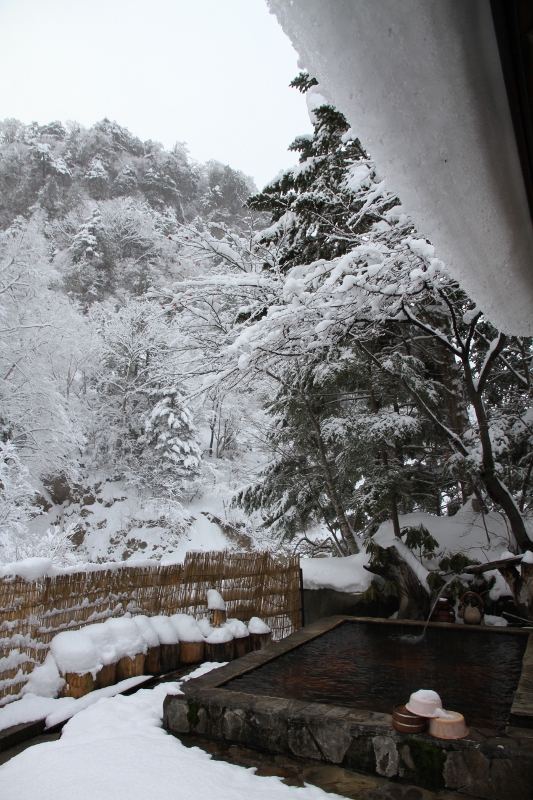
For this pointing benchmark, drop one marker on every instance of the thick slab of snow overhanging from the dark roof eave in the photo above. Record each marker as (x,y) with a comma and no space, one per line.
(420,81)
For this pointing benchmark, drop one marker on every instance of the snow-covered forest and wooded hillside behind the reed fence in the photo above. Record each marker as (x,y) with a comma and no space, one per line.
(299,353)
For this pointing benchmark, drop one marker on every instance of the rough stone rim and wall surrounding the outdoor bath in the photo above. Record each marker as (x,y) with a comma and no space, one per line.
(487,764)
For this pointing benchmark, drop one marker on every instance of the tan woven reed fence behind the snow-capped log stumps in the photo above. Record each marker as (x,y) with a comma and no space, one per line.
(32,612)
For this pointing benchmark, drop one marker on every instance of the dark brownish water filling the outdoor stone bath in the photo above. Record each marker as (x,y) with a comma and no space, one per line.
(365,665)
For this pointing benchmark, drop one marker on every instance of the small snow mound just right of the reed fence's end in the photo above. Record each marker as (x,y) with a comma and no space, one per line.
(342,574)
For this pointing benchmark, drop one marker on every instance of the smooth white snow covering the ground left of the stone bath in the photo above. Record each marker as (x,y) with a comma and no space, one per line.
(117,749)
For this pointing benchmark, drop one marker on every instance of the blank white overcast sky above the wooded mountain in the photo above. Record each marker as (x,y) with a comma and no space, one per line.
(212,73)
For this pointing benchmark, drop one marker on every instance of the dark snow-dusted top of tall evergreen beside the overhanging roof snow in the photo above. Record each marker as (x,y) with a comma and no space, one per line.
(320,199)
